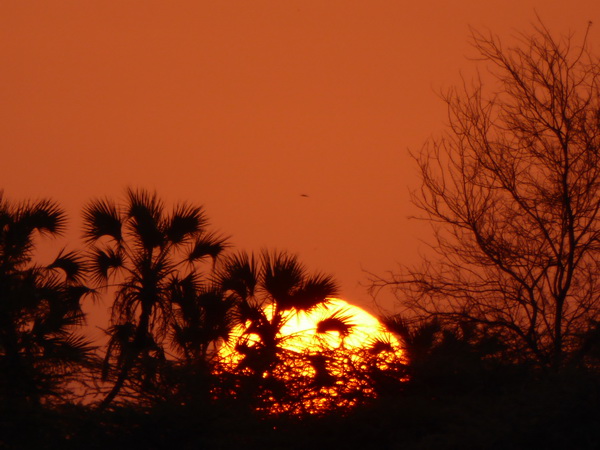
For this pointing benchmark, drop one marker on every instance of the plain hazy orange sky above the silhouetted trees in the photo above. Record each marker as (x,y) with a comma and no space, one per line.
(243,106)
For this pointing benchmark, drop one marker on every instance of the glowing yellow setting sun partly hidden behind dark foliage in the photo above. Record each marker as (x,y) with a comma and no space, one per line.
(324,353)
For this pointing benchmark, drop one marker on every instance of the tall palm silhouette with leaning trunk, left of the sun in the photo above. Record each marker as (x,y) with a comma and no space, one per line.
(146,255)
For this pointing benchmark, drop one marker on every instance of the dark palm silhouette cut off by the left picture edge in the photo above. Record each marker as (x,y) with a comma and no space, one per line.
(40,306)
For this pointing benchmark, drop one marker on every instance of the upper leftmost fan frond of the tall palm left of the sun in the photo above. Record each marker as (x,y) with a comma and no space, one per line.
(102,218)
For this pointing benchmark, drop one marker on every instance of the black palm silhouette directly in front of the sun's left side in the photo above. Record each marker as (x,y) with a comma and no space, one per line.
(264,290)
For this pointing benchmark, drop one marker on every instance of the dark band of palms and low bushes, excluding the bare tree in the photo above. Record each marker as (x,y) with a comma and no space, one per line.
(177,290)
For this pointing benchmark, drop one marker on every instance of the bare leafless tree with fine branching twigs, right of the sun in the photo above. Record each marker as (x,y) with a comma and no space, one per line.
(512,190)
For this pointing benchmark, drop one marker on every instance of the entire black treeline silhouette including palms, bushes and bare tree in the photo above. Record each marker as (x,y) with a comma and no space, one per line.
(500,333)
